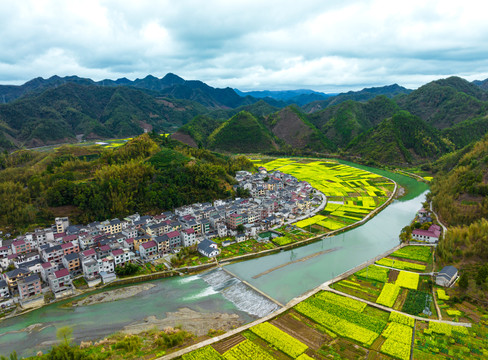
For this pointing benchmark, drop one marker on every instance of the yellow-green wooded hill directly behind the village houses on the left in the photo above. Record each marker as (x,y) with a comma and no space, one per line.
(148,174)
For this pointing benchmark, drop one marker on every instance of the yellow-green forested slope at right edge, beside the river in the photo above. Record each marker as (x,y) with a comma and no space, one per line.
(459,194)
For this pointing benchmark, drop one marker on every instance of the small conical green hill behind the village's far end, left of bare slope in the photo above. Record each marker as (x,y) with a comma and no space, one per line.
(242,133)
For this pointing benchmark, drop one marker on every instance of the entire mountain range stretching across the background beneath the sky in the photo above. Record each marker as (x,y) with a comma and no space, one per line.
(389,124)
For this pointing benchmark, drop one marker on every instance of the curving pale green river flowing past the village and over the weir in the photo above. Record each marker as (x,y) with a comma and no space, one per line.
(212,292)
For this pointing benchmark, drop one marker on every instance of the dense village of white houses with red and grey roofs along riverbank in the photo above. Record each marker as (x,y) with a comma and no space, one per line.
(41,266)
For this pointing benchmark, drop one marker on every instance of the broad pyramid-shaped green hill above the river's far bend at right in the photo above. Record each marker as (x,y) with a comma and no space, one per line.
(401,139)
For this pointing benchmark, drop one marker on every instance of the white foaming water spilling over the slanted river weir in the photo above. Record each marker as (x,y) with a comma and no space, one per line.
(241,295)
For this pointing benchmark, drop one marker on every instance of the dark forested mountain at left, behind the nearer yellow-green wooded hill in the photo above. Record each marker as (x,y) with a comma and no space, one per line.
(60,113)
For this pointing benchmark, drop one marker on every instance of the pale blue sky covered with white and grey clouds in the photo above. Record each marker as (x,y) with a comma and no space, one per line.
(328,46)
